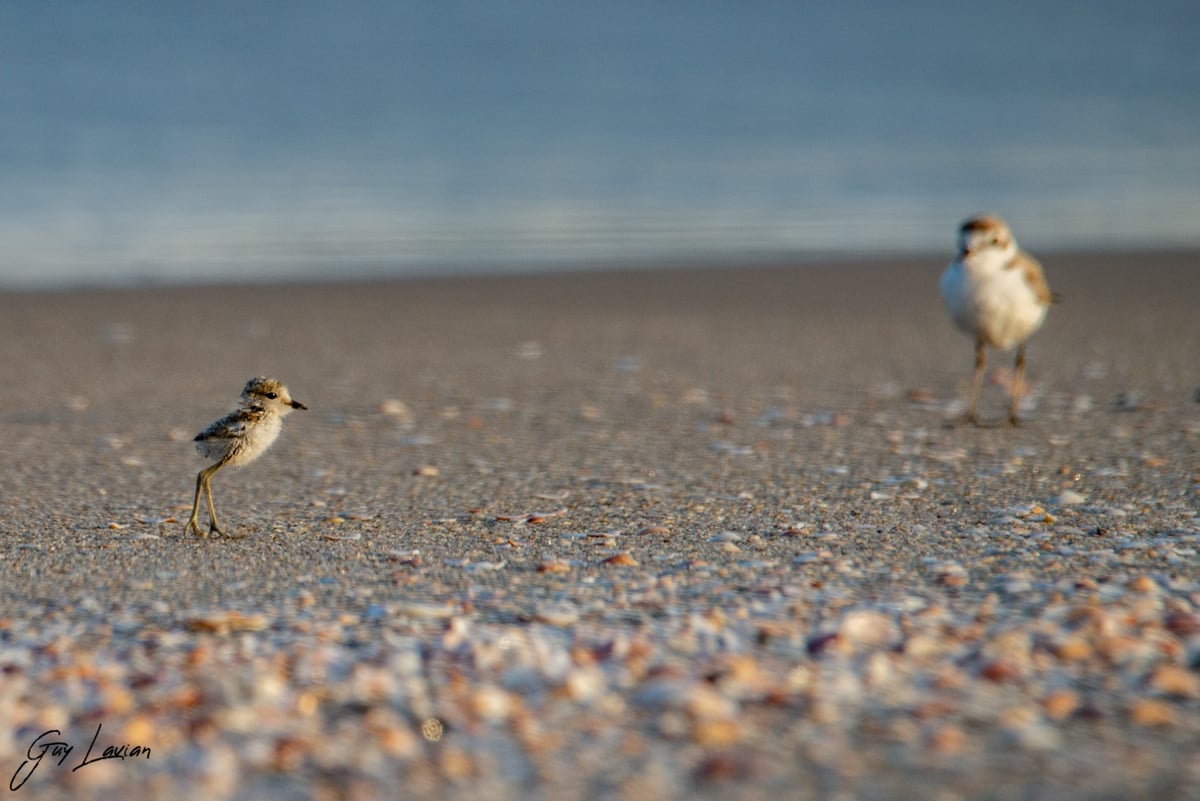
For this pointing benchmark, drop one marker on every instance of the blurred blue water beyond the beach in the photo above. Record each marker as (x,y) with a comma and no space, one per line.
(191,142)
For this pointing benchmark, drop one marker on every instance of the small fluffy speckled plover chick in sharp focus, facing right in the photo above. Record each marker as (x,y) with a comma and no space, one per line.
(241,438)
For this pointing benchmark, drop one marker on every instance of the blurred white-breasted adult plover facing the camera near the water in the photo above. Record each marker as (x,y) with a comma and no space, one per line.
(997,294)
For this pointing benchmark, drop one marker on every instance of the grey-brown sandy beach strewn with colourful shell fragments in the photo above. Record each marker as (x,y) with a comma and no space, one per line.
(607,535)
